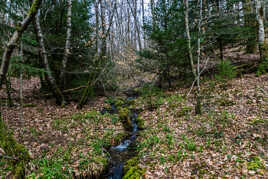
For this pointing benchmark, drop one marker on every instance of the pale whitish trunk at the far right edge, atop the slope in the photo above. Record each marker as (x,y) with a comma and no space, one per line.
(259,16)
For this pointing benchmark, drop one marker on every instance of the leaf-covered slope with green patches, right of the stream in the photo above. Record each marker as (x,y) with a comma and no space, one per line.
(228,140)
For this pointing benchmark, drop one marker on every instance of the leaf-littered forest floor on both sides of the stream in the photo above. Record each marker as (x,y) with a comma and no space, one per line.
(229,139)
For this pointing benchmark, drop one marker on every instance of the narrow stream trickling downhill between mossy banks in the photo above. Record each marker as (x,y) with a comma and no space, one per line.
(124,151)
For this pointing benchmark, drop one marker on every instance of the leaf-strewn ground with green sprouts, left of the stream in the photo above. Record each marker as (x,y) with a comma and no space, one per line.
(62,141)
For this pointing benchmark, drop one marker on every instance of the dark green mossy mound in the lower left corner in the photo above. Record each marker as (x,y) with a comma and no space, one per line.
(13,150)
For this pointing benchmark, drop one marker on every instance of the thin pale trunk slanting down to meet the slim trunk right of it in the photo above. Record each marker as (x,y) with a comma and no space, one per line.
(186,11)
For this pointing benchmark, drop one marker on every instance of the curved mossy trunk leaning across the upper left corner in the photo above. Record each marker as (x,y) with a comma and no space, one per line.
(15,38)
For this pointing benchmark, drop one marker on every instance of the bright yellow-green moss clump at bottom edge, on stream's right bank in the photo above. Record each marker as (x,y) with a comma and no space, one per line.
(132,170)
